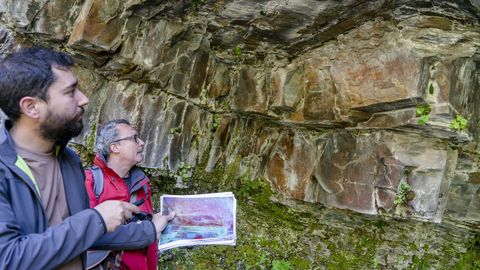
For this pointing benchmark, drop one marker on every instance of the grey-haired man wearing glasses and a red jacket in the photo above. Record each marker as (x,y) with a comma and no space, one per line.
(118,151)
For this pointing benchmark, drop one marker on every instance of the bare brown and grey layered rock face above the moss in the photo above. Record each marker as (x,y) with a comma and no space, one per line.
(320,98)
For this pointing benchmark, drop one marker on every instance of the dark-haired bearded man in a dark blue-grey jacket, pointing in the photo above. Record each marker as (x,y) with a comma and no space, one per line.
(45,221)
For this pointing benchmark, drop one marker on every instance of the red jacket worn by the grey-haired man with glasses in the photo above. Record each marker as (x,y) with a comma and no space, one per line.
(114,188)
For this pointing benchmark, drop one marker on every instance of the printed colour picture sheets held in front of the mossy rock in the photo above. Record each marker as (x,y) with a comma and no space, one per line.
(202,219)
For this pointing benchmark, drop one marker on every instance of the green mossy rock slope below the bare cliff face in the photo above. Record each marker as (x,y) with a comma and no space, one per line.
(273,236)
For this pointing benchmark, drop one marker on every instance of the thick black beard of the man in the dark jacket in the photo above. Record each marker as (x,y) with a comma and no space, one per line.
(60,130)
